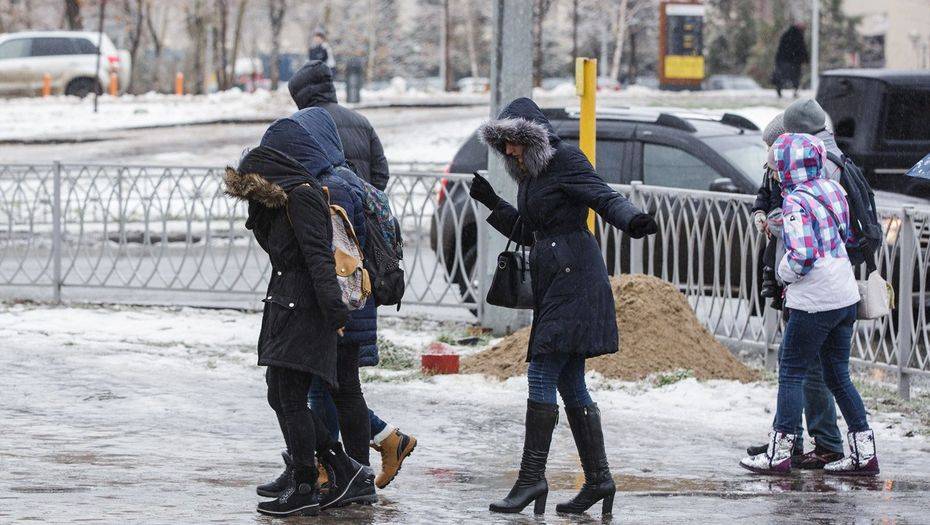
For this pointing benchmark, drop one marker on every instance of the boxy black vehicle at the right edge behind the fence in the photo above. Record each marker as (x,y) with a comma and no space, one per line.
(880,117)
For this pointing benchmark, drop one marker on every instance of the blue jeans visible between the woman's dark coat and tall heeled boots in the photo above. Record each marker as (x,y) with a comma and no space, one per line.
(562,372)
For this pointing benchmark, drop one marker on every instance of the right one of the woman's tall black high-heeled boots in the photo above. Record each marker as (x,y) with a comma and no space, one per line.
(598,483)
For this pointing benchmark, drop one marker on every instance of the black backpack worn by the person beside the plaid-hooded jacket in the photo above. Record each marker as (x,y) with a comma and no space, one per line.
(866,232)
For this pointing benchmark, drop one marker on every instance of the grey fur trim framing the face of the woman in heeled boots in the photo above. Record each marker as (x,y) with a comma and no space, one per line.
(532,135)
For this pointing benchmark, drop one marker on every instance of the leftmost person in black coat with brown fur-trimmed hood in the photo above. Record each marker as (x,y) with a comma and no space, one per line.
(289,216)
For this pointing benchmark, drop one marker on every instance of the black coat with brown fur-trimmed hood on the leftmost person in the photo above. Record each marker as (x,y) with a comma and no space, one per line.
(289,216)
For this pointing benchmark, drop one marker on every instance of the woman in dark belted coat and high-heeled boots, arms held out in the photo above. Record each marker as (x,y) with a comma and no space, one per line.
(573,314)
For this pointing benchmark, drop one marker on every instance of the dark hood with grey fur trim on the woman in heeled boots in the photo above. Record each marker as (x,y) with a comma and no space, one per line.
(522,122)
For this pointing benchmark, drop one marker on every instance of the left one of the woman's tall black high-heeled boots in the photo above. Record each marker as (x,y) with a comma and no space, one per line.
(531,482)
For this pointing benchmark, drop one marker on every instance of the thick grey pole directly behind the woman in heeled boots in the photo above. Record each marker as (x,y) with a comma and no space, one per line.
(511,78)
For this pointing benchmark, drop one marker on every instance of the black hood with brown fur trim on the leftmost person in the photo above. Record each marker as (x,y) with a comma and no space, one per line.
(266,175)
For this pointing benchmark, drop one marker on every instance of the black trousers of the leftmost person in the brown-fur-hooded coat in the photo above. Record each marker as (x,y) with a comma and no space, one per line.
(304,434)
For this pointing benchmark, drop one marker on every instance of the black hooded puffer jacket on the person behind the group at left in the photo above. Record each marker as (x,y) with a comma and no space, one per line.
(312,85)
